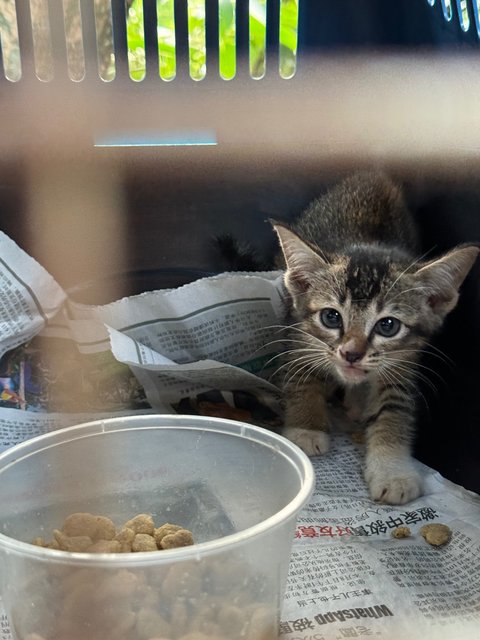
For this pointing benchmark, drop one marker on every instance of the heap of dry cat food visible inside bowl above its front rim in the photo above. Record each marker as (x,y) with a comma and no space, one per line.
(88,533)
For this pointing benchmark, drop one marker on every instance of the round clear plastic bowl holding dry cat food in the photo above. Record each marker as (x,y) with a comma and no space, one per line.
(237,487)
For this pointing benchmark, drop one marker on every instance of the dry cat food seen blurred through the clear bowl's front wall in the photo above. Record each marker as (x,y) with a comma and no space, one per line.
(197,599)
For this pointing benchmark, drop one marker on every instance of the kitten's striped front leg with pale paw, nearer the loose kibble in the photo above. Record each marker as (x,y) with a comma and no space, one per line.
(390,470)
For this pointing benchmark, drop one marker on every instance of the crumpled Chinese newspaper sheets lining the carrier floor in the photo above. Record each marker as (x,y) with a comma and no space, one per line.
(212,347)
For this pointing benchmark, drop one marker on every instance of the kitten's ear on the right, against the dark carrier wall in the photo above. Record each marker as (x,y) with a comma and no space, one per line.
(443,277)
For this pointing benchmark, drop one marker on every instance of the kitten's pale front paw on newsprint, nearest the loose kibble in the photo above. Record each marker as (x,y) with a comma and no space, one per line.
(393,485)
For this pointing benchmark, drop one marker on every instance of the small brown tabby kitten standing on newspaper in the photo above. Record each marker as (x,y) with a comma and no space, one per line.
(363,309)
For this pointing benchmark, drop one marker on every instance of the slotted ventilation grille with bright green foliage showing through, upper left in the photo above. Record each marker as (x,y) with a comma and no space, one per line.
(167,38)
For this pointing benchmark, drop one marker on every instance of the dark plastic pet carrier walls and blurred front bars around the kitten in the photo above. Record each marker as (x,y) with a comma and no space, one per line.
(133,133)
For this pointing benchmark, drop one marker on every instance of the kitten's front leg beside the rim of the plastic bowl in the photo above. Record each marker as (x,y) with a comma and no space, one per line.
(306,422)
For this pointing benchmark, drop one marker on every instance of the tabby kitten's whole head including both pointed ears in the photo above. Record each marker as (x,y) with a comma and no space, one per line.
(369,313)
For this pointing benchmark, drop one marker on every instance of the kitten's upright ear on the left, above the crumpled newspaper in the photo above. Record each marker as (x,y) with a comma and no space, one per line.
(301,260)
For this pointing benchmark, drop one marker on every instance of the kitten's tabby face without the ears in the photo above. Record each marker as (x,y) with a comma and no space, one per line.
(371,324)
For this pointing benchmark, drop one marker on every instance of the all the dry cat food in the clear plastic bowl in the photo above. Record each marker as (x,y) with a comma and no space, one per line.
(191,598)
